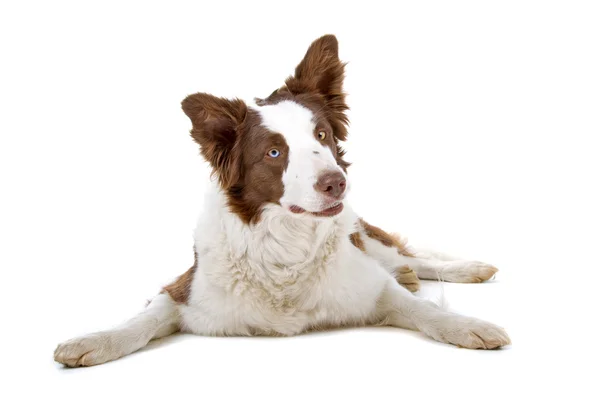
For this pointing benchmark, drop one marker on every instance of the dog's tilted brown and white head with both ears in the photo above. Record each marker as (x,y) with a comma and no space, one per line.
(284,149)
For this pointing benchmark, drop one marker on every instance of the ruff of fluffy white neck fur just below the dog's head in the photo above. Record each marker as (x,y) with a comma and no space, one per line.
(278,239)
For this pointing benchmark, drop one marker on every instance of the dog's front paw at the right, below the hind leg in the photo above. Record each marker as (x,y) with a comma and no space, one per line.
(469,332)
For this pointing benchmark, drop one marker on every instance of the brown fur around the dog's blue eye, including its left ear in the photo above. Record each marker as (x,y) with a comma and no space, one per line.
(234,142)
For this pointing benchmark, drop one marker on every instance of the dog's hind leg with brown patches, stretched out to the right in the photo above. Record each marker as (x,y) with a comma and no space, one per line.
(407,264)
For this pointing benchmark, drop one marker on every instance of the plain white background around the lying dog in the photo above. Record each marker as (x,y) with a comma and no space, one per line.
(474,131)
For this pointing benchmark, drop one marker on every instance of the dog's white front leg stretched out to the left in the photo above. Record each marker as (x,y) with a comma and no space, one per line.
(159,319)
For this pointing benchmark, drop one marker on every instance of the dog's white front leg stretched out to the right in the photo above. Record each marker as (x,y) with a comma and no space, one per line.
(397,307)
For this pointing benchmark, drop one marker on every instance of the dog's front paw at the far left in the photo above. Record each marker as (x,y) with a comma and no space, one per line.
(84,351)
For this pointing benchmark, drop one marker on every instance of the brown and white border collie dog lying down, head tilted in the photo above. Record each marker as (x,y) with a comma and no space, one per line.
(278,250)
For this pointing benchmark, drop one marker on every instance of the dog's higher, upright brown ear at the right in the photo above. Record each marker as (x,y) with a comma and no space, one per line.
(322,72)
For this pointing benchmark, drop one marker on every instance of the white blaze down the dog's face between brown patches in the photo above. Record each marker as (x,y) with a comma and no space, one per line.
(307,157)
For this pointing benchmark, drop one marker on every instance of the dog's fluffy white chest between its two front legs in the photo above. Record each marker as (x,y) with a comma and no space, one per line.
(280,278)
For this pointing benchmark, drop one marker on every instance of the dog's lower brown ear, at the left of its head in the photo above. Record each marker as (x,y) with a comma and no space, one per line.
(215,127)
